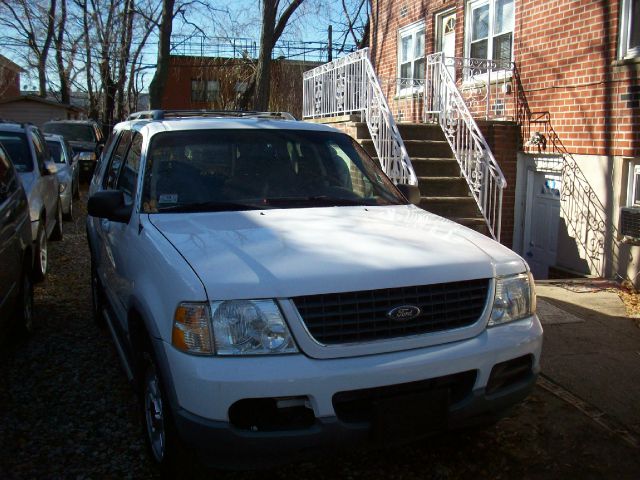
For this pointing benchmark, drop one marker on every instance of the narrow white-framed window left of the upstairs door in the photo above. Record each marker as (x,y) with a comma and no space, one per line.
(411,58)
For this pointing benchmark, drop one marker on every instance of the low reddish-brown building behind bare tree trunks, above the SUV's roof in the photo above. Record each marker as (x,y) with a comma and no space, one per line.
(199,82)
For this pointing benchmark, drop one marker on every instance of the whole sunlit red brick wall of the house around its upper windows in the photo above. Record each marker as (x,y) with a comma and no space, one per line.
(565,51)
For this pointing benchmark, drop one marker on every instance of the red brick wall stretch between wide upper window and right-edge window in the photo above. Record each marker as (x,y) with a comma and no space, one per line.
(566,53)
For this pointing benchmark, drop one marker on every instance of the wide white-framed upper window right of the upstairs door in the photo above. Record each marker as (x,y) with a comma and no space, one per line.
(489,32)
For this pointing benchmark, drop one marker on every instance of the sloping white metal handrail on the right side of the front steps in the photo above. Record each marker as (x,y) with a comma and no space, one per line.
(476,160)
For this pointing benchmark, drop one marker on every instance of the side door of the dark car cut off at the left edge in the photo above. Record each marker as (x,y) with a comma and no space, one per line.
(10,219)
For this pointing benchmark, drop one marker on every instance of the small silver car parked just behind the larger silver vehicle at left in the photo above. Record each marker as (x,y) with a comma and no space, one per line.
(67,172)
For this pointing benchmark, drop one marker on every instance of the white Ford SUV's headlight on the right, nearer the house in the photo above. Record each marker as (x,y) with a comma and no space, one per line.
(515,298)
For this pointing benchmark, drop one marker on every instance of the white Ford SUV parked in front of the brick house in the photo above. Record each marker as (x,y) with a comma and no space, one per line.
(272,293)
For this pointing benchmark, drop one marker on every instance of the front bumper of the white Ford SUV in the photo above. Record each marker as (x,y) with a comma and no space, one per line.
(206,387)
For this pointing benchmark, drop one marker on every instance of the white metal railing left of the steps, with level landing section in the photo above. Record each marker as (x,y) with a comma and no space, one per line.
(349,85)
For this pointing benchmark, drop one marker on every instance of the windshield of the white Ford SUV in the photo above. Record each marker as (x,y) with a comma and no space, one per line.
(213,170)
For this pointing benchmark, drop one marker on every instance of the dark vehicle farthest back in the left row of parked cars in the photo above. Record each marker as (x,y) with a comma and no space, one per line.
(86,139)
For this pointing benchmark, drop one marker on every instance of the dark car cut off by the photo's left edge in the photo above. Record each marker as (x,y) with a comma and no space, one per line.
(16,253)
